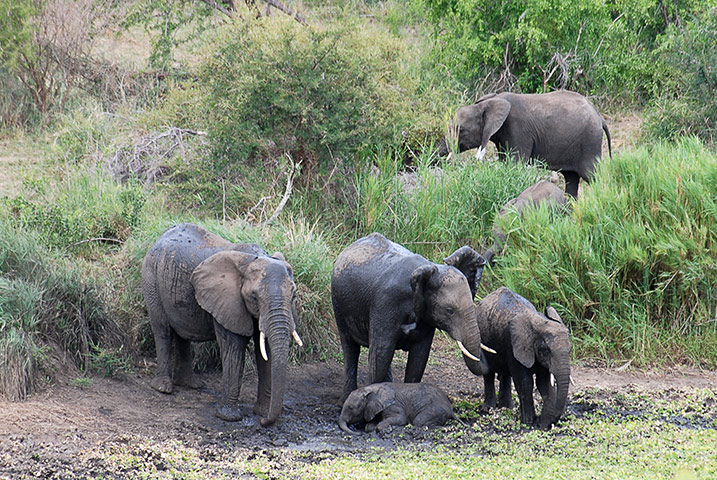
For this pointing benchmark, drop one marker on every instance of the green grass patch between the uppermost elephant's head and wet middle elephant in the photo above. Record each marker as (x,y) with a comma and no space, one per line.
(433,211)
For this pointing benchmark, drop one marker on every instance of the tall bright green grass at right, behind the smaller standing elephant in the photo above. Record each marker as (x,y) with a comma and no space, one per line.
(634,268)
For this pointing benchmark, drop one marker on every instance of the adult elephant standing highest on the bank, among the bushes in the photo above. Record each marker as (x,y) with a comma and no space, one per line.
(561,128)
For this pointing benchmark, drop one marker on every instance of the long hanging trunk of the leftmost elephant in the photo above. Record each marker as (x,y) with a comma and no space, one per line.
(279,337)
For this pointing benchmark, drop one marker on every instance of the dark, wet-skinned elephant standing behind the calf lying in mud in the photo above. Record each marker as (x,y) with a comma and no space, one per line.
(386,297)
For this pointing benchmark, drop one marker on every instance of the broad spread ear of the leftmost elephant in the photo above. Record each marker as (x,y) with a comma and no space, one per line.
(217,285)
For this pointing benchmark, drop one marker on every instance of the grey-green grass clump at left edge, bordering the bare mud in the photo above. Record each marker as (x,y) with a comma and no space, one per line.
(45,305)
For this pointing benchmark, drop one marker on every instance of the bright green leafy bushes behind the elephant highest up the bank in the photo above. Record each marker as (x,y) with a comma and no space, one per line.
(536,45)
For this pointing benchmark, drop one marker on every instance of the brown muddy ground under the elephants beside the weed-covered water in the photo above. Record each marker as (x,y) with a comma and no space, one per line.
(81,429)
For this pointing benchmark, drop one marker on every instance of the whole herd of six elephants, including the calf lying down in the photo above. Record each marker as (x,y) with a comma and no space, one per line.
(199,286)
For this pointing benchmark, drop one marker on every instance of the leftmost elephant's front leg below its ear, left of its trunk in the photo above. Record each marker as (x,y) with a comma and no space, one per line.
(232,348)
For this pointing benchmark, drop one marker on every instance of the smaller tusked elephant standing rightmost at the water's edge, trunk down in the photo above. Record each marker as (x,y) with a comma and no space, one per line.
(529,344)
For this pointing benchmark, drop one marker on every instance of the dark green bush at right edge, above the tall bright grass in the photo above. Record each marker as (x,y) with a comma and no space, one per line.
(687,103)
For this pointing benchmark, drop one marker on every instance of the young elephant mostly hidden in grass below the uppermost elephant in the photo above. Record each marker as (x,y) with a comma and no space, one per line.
(542,193)
